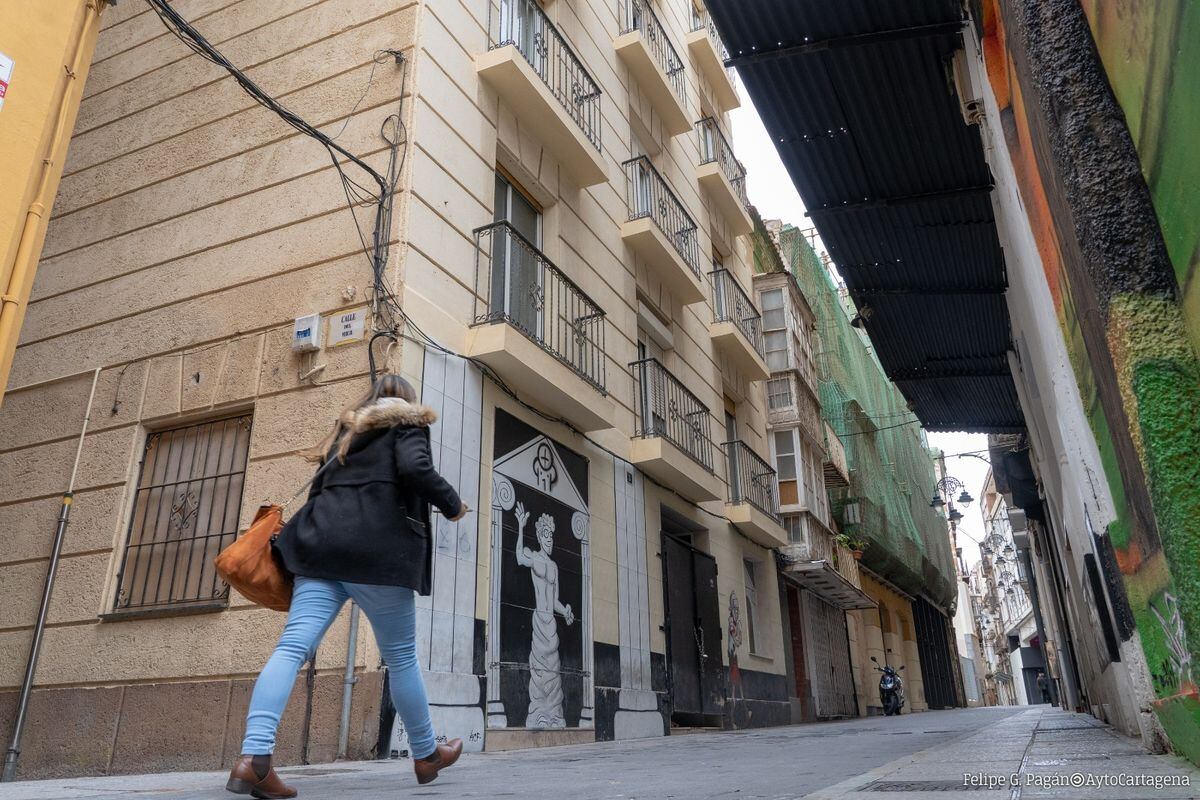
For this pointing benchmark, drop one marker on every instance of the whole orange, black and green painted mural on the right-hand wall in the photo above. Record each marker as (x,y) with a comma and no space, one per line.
(1132,332)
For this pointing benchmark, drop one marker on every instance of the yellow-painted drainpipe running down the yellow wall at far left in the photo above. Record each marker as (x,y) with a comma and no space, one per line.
(29,244)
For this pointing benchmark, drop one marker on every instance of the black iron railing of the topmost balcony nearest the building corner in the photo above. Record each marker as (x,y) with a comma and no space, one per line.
(524,25)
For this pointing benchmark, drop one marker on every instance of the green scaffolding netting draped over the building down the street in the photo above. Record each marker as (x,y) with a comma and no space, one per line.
(891,468)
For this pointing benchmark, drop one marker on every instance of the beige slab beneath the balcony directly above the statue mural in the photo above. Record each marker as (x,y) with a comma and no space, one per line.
(536,374)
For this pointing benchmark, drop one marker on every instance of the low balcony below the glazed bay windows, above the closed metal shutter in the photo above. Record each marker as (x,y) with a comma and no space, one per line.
(815,562)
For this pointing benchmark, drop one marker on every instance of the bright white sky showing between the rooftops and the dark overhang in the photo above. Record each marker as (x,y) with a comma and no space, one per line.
(772,193)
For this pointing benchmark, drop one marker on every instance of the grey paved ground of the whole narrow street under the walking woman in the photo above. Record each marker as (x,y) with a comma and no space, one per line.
(914,756)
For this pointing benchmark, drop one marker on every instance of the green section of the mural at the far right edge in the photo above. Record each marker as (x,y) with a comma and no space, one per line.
(1151,55)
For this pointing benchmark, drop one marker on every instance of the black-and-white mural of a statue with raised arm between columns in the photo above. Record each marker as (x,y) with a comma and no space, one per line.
(541,639)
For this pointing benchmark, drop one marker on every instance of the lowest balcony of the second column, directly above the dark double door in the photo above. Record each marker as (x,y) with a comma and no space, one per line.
(673,442)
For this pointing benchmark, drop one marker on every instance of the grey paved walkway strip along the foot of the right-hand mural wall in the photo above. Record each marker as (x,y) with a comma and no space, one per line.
(1043,753)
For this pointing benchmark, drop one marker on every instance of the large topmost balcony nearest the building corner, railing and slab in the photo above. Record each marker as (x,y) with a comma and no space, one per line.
(544,83)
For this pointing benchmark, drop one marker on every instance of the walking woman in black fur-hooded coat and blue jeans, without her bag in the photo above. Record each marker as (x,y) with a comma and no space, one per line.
(363,536)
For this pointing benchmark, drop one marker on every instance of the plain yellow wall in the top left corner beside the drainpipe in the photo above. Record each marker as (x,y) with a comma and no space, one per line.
(40,39)
